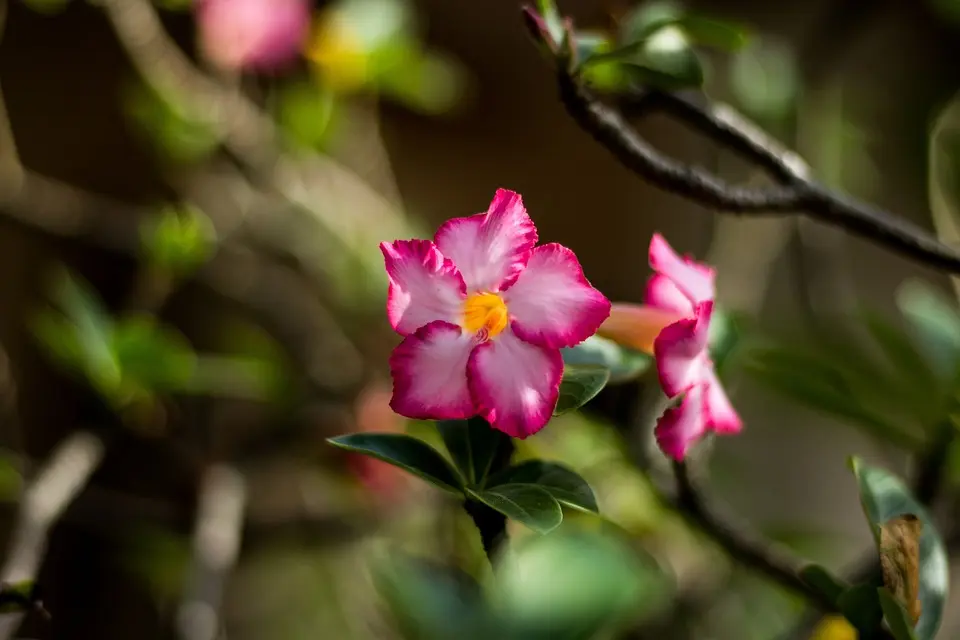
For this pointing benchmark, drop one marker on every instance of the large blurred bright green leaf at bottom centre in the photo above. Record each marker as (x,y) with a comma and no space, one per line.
(575,585)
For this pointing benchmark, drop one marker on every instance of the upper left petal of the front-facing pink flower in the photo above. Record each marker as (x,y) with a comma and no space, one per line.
(424,285)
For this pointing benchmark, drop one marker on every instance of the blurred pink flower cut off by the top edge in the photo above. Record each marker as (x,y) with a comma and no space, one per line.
(259,35)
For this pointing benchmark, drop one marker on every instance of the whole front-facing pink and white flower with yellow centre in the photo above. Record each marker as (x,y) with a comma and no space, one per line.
(484,313)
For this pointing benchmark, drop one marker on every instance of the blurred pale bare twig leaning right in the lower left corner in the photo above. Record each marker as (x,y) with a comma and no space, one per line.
(45,499)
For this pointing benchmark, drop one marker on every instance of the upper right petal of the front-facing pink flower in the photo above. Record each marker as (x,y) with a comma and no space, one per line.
(552,304)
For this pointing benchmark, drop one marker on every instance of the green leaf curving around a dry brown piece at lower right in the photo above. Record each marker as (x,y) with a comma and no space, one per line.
(884,496)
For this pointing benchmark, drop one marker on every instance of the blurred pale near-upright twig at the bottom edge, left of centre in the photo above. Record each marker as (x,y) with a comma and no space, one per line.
(220,518)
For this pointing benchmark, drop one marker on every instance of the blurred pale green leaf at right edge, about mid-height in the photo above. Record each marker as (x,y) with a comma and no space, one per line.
(935,323)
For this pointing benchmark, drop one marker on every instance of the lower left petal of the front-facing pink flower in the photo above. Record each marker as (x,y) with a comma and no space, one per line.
(429,370)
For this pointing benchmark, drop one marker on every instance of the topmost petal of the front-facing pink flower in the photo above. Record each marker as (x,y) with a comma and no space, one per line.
(490,249)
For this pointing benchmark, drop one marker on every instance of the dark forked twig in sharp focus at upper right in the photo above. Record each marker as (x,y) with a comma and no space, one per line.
(801,195)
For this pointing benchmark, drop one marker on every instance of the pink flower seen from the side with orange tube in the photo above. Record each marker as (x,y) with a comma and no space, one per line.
(674,326)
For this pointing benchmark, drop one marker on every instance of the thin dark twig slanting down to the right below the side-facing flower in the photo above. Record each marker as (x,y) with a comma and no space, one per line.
(743,547)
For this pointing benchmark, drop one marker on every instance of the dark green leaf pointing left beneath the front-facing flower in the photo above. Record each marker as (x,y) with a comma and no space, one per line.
(405,452)
